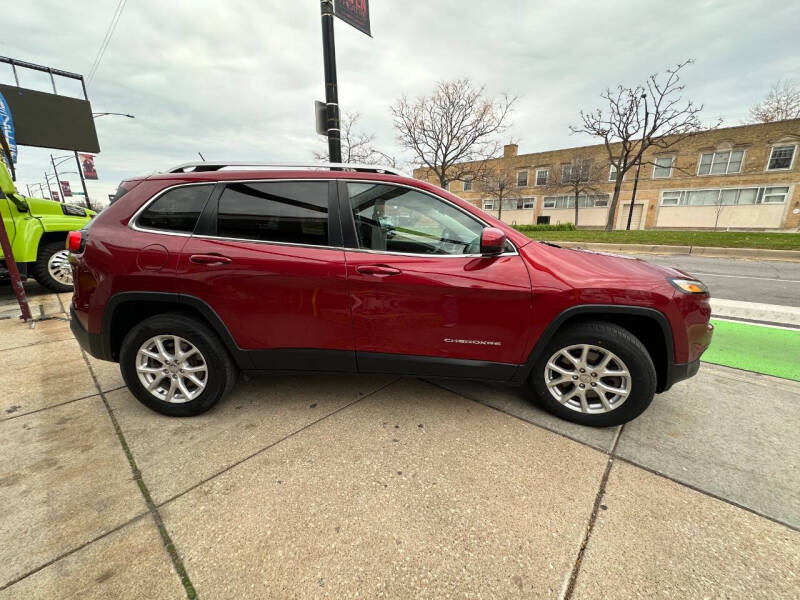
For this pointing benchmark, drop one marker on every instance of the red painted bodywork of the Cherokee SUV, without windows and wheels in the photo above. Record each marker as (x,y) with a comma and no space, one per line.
(271,296)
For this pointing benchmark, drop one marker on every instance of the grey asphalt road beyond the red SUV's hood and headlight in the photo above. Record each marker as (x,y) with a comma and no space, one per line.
(768,282)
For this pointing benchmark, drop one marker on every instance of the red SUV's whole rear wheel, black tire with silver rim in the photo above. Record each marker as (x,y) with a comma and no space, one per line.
(176,365)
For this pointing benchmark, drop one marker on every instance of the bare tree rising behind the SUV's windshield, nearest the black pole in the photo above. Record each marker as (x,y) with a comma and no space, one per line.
(454,126)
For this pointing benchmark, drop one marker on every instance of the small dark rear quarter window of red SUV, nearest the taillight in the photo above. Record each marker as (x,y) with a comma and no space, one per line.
(176,210)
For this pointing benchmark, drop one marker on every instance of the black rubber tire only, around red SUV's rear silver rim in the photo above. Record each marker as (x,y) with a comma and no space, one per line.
(221,371)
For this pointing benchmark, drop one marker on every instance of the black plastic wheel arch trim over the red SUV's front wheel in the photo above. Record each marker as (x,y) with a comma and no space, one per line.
(599,310)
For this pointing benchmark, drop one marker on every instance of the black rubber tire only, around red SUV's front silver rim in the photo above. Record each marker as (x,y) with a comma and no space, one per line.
(605,336)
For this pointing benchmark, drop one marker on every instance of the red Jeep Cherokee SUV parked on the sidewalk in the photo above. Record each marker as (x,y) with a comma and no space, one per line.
(209,269)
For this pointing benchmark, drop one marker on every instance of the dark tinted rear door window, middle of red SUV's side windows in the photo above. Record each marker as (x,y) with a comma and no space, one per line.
(289,212)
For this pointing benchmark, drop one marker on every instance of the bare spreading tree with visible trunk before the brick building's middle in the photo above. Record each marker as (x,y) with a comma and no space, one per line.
(621,125)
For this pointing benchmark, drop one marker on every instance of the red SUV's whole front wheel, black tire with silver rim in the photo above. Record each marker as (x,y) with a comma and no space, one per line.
(596,374)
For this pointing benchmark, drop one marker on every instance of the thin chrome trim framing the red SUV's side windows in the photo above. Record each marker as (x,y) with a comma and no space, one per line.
(132,222)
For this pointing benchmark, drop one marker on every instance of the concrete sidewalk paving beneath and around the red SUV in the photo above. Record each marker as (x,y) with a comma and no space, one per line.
(381,487)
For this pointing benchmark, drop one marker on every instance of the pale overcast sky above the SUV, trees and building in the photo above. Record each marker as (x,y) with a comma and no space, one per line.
(236,79)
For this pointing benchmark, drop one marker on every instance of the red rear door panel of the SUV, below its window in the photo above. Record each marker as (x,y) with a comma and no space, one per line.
(273,296)
